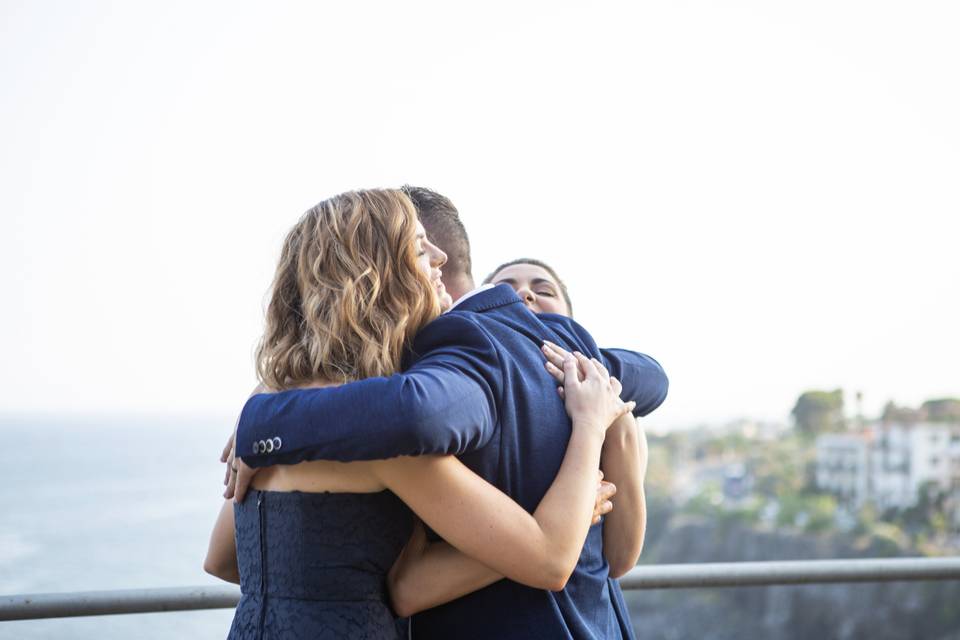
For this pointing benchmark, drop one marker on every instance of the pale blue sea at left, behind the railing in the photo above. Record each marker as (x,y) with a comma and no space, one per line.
(110,502)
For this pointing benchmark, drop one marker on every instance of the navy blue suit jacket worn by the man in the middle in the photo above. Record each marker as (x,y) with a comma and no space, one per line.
(474,386)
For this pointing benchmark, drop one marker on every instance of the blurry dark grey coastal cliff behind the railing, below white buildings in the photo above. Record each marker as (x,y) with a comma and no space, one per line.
(879,611)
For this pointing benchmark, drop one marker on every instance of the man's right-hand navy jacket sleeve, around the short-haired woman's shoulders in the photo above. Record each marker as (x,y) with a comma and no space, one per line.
(643,379)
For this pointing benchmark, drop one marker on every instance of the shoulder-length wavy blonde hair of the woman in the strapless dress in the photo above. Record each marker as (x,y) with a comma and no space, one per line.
(348,296)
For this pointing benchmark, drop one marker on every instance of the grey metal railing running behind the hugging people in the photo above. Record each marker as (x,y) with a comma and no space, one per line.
(670,576)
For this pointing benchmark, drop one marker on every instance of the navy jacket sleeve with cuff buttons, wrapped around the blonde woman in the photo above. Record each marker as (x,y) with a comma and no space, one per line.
(444,404)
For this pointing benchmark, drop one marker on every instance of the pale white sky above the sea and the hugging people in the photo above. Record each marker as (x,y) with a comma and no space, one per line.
(762,195)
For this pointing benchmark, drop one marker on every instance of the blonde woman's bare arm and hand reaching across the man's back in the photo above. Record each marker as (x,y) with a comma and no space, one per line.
(540,550)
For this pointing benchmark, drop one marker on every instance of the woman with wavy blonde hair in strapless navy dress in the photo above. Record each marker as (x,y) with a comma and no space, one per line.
(312,544)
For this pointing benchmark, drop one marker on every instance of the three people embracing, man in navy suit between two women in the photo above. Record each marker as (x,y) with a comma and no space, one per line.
(395,392)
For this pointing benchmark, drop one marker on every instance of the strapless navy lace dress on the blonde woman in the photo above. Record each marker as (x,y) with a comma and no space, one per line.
(314,565)
